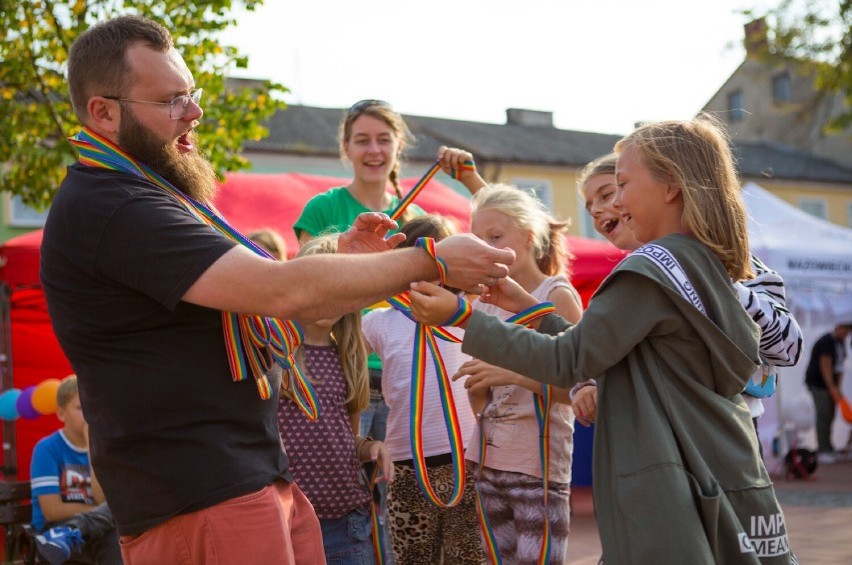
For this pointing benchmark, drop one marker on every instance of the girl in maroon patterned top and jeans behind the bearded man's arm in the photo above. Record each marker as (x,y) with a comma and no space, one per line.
(325,455)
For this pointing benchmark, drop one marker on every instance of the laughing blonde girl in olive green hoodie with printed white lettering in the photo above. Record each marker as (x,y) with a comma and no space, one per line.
(677,474)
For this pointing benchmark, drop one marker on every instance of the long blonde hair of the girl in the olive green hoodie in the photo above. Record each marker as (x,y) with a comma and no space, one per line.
(696,154)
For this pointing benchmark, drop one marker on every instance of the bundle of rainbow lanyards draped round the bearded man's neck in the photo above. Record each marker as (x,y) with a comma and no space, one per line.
(253,343)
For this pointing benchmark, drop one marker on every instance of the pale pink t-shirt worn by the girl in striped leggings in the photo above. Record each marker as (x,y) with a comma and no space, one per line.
(511,427)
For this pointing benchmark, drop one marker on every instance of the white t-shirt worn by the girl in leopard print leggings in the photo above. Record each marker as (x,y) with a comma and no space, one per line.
(391,335)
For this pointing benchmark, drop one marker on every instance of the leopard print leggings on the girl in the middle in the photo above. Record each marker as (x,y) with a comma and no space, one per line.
(424,534)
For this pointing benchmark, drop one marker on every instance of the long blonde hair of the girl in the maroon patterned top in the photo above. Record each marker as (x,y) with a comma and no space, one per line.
(346,334)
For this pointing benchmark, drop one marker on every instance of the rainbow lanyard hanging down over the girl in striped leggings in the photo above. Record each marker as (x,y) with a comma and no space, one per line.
(543,403)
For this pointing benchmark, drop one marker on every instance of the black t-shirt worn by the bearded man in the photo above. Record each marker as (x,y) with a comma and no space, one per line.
(171,432)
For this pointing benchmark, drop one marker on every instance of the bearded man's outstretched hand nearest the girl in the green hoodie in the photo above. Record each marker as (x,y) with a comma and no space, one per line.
(472,264)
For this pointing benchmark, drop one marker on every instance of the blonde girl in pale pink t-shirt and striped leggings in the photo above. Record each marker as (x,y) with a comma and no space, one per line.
(511,480)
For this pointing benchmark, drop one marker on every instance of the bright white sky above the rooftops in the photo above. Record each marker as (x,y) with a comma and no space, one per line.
(598,65)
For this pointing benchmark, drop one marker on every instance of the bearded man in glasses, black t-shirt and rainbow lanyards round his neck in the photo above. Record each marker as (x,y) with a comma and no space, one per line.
(153,301)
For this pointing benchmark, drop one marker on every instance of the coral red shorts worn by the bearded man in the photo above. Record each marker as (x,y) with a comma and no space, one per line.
(276,524)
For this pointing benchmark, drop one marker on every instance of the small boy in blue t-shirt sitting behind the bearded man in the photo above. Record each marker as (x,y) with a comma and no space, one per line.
(68,504)
